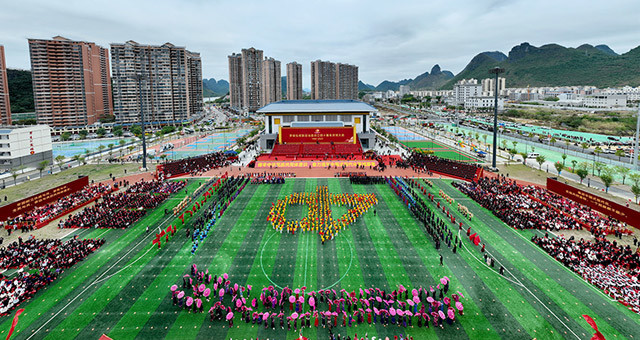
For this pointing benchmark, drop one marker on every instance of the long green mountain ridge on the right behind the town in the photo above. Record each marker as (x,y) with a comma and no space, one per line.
(555,65)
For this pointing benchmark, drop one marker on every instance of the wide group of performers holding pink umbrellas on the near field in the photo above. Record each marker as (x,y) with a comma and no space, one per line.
(294,309)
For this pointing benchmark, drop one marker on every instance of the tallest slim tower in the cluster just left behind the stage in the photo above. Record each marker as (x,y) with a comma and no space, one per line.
(251,76)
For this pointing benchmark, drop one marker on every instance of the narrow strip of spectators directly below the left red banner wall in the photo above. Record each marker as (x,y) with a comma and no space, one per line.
(51,210)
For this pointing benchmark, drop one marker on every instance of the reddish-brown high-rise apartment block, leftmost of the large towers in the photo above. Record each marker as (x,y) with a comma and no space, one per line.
(71,82)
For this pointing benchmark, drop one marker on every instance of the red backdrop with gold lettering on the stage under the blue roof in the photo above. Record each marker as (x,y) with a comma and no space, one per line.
(317,134)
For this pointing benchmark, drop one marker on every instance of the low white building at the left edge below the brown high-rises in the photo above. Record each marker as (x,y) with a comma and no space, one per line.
(24,146)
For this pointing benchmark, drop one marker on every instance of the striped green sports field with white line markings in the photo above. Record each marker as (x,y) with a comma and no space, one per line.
(123,289)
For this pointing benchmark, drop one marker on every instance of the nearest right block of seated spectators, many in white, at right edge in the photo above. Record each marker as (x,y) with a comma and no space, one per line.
(605,264)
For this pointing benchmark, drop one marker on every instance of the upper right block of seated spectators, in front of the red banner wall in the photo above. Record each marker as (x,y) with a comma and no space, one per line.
(507,201)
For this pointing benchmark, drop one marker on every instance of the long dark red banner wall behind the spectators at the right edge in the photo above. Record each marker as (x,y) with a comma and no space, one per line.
(597,203)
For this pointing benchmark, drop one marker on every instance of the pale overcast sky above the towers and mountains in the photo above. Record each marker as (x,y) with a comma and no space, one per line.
(386,39)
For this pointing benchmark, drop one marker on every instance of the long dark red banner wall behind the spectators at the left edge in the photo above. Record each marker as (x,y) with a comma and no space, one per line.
(16,208)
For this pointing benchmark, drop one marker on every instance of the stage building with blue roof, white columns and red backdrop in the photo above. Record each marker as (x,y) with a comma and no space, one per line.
(328,124)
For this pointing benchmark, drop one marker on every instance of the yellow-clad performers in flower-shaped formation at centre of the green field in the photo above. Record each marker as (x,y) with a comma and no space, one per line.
(319,218)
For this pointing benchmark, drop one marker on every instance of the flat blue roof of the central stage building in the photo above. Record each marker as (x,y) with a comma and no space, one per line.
(308,106)
